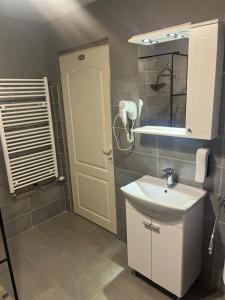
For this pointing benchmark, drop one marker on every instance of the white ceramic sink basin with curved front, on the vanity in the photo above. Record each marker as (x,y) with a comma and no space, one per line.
(153,194)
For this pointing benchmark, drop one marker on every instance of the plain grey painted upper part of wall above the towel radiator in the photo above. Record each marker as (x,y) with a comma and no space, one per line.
(24,50)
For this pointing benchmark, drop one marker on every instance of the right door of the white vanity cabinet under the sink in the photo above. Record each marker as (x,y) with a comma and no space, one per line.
(167,255)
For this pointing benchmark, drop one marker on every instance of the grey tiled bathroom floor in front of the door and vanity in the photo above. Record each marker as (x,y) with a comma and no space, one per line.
(68,258)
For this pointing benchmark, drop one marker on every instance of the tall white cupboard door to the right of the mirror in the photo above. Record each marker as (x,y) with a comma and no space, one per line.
(205,67)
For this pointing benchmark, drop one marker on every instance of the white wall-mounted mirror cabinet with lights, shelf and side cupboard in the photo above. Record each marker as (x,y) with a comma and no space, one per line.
(180,79)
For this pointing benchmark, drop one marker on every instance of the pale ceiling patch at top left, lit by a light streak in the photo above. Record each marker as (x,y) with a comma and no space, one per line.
(40,10)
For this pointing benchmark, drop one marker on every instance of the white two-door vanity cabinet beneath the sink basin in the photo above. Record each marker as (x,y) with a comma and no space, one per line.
(166,251)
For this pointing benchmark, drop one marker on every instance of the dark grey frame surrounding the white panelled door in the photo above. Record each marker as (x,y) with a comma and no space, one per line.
(101,42)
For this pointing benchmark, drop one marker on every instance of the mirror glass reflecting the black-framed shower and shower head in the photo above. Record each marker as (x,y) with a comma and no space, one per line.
(163,83)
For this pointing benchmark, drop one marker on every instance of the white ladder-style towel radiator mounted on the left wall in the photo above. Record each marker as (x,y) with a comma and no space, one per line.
(27,132)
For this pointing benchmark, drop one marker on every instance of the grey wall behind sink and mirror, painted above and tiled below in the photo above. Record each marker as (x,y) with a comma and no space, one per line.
(118,20)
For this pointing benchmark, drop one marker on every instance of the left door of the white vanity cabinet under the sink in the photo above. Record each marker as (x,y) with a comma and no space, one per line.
(138,240)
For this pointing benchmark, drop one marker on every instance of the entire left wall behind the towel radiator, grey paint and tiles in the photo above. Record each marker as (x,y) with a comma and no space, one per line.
(25,53)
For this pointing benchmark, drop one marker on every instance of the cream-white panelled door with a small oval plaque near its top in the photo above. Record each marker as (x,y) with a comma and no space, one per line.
(85,77)
